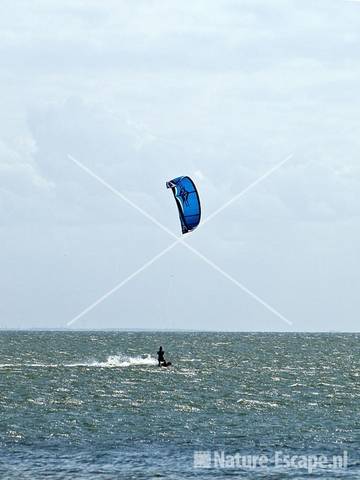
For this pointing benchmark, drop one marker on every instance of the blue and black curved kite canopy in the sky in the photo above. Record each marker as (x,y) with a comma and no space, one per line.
(187,201)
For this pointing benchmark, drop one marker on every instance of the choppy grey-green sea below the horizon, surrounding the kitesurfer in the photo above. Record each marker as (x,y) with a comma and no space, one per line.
(95,405)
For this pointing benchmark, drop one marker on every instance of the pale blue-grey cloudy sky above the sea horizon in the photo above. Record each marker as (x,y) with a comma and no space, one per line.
(144,91)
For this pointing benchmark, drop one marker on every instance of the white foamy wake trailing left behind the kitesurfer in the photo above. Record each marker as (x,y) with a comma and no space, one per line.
(113,361)
